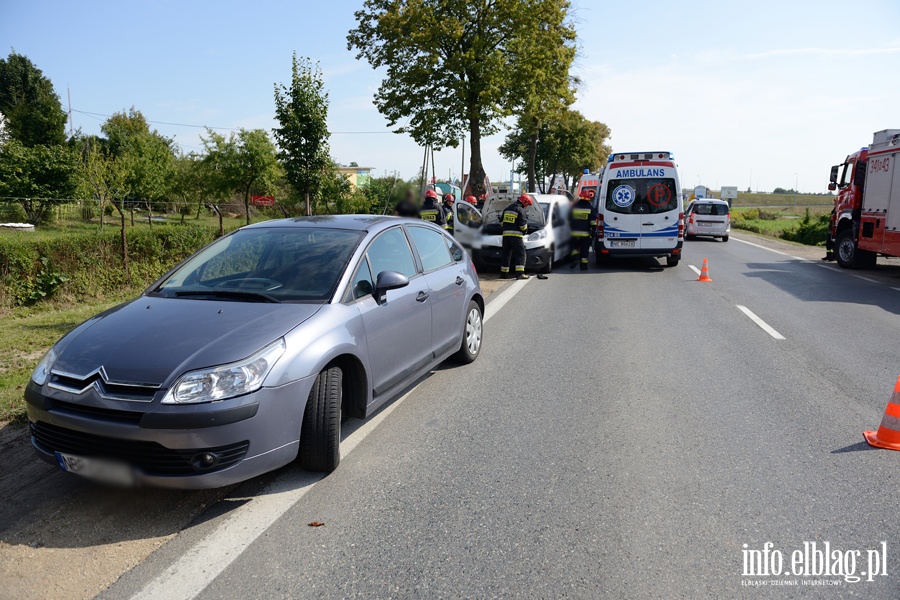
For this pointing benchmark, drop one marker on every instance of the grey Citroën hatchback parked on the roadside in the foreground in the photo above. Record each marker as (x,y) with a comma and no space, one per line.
(252,351)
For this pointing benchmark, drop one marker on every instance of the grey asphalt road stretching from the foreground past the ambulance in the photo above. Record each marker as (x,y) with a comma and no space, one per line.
(627,432)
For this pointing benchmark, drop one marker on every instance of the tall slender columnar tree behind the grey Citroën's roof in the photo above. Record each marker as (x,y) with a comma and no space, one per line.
(302,112)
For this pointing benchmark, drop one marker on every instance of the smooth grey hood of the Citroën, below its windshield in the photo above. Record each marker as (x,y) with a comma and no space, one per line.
(154,340)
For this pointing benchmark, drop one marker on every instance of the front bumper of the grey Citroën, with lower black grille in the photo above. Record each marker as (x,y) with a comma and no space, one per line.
(163,444)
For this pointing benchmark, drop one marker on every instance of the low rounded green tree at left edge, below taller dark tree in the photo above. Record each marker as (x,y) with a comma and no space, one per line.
(39,177)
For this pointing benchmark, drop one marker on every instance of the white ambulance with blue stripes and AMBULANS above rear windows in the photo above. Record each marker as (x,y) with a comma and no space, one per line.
(640,209)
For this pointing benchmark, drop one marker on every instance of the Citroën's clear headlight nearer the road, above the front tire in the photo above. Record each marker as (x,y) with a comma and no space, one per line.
(225,381)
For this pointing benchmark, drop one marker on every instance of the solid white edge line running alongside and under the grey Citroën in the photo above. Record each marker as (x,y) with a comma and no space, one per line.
(196,569)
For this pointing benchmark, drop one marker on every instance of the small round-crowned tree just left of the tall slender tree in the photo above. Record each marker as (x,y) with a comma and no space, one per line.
(241,161)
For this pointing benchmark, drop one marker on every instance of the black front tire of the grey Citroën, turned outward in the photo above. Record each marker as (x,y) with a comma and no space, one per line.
(320,434)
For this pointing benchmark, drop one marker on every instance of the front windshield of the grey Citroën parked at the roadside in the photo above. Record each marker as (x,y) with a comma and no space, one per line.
(279,264)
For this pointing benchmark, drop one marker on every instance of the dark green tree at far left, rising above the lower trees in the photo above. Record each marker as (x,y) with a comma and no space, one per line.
(34,114)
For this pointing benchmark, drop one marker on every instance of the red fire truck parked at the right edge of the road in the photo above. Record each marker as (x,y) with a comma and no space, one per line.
(866,219)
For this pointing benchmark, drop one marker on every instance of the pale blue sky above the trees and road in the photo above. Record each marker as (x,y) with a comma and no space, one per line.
(768,93)
